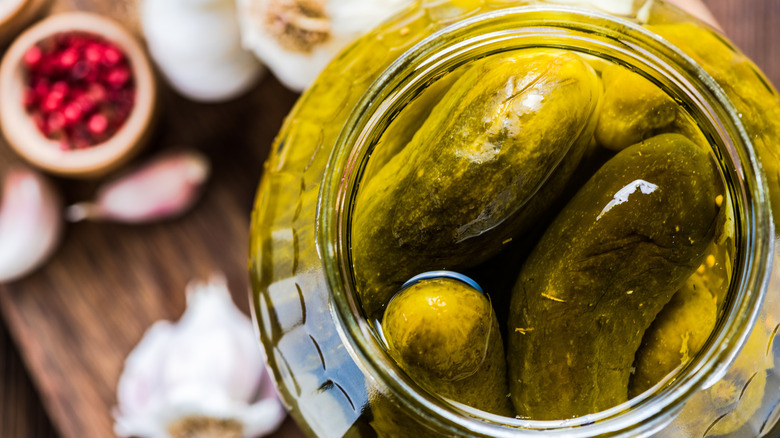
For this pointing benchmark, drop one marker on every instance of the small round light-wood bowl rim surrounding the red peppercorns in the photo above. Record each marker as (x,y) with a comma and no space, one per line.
(22,133)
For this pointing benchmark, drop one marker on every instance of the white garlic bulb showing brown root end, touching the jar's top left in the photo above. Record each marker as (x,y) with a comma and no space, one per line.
(297,38)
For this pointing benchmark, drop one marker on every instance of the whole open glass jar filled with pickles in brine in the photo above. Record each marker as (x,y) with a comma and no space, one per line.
(588,198)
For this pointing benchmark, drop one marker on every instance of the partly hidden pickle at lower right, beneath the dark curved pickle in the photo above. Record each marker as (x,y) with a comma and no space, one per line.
(676,335)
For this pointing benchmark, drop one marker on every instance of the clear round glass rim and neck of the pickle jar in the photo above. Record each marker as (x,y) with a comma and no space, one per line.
(593,34)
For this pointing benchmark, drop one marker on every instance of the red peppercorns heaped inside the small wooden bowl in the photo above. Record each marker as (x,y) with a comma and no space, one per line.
(80,88)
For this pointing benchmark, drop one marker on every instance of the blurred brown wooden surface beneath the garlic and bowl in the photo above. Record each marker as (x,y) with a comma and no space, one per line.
(63,337)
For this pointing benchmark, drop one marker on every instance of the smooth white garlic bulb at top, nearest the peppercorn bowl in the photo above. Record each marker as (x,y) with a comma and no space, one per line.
(197,45)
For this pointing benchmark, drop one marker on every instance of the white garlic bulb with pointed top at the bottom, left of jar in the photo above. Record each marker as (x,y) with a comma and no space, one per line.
(202,376)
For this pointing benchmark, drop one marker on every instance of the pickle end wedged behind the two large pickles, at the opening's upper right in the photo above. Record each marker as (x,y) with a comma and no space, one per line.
(633,109)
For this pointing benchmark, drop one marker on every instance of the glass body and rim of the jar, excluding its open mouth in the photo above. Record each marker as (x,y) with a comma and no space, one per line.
(327,359)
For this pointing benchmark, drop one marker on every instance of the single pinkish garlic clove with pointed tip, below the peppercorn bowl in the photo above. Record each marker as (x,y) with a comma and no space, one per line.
(163,188)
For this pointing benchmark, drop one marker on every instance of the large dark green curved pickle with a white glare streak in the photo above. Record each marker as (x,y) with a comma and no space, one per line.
(601,273)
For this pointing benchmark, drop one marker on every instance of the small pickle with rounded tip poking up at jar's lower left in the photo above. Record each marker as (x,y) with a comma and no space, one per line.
(445,335)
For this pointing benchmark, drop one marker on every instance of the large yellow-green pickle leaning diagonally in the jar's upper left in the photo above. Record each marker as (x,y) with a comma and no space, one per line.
(492,155)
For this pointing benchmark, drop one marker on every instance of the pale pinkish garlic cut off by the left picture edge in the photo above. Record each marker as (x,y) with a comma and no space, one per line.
(30,223)
